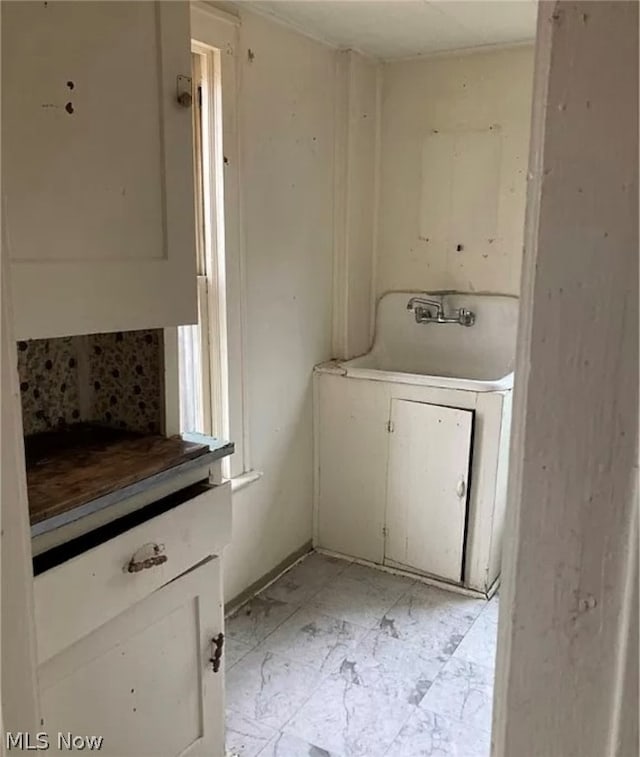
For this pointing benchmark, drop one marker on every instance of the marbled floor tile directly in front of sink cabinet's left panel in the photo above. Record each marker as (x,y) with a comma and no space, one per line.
(361,595)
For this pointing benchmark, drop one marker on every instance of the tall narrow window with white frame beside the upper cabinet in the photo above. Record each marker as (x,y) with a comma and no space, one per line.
(212,391)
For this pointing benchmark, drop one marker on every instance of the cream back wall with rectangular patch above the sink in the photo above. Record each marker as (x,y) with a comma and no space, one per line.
(462,94)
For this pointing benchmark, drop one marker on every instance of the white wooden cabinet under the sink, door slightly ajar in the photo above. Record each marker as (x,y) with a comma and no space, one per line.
(412,476)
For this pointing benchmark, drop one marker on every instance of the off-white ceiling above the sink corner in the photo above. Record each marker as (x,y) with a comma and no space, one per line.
(392,29)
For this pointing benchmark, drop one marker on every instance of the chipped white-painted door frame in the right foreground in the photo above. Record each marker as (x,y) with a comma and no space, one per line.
(567,675)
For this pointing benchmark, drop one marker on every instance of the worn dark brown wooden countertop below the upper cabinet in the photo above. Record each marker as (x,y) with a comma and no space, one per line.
(69,468)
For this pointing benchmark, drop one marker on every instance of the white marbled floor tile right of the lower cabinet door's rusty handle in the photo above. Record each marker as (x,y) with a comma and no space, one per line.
(268,688)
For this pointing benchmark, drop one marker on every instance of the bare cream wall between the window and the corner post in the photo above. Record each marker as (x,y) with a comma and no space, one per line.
(286,130)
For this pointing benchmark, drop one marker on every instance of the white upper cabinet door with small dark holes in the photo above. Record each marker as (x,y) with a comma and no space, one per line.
(97,166)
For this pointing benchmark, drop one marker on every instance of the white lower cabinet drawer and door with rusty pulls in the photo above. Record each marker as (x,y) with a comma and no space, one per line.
(127,631)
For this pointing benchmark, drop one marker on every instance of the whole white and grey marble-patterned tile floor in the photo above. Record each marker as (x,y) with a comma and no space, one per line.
(336,659)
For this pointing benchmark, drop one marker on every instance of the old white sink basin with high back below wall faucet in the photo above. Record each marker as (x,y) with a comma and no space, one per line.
(476,358)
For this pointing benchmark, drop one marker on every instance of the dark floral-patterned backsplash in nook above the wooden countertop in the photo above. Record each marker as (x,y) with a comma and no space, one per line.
(113,379)
